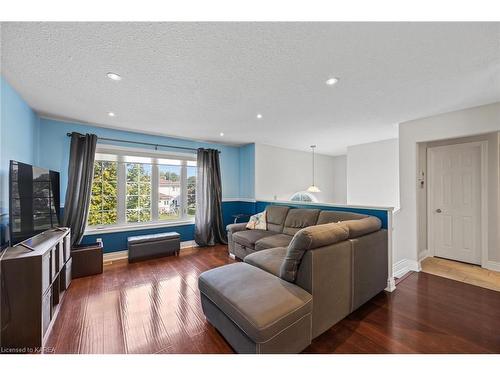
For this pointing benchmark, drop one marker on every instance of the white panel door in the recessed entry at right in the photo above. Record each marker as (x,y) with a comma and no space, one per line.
(455,201)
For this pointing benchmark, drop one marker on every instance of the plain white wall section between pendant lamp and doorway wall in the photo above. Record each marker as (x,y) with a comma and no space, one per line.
(373,174)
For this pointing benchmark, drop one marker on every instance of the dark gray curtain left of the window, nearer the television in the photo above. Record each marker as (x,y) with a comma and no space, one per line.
(80,173)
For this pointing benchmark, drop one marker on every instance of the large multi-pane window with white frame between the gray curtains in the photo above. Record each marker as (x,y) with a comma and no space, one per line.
(134,187)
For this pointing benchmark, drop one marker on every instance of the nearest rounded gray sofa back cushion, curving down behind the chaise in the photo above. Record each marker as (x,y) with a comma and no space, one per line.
(310,238)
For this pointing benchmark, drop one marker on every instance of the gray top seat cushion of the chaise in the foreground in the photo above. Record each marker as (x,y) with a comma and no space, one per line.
(259,303)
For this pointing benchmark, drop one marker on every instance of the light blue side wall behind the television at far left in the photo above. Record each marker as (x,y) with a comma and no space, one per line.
(18,141)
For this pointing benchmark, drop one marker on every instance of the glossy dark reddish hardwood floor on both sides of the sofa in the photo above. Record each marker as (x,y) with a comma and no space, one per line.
(154,307)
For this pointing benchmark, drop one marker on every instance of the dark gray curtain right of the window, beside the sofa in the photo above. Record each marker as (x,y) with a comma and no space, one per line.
(209,227)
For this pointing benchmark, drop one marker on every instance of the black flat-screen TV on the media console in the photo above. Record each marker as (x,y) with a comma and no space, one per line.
(34,201)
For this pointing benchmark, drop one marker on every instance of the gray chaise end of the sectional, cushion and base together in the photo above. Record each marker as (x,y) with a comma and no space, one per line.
(255,311)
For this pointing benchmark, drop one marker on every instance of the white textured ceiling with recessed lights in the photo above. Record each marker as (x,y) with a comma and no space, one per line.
(195,80)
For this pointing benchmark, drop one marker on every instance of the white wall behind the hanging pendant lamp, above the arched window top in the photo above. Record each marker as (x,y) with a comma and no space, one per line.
(281,172)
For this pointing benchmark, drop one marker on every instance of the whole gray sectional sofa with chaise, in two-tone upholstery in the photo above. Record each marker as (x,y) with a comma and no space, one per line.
(307,271)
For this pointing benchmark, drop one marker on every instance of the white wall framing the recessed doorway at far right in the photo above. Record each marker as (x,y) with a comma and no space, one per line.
(456,124)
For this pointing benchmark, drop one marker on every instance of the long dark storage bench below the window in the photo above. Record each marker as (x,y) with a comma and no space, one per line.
(153,246)
